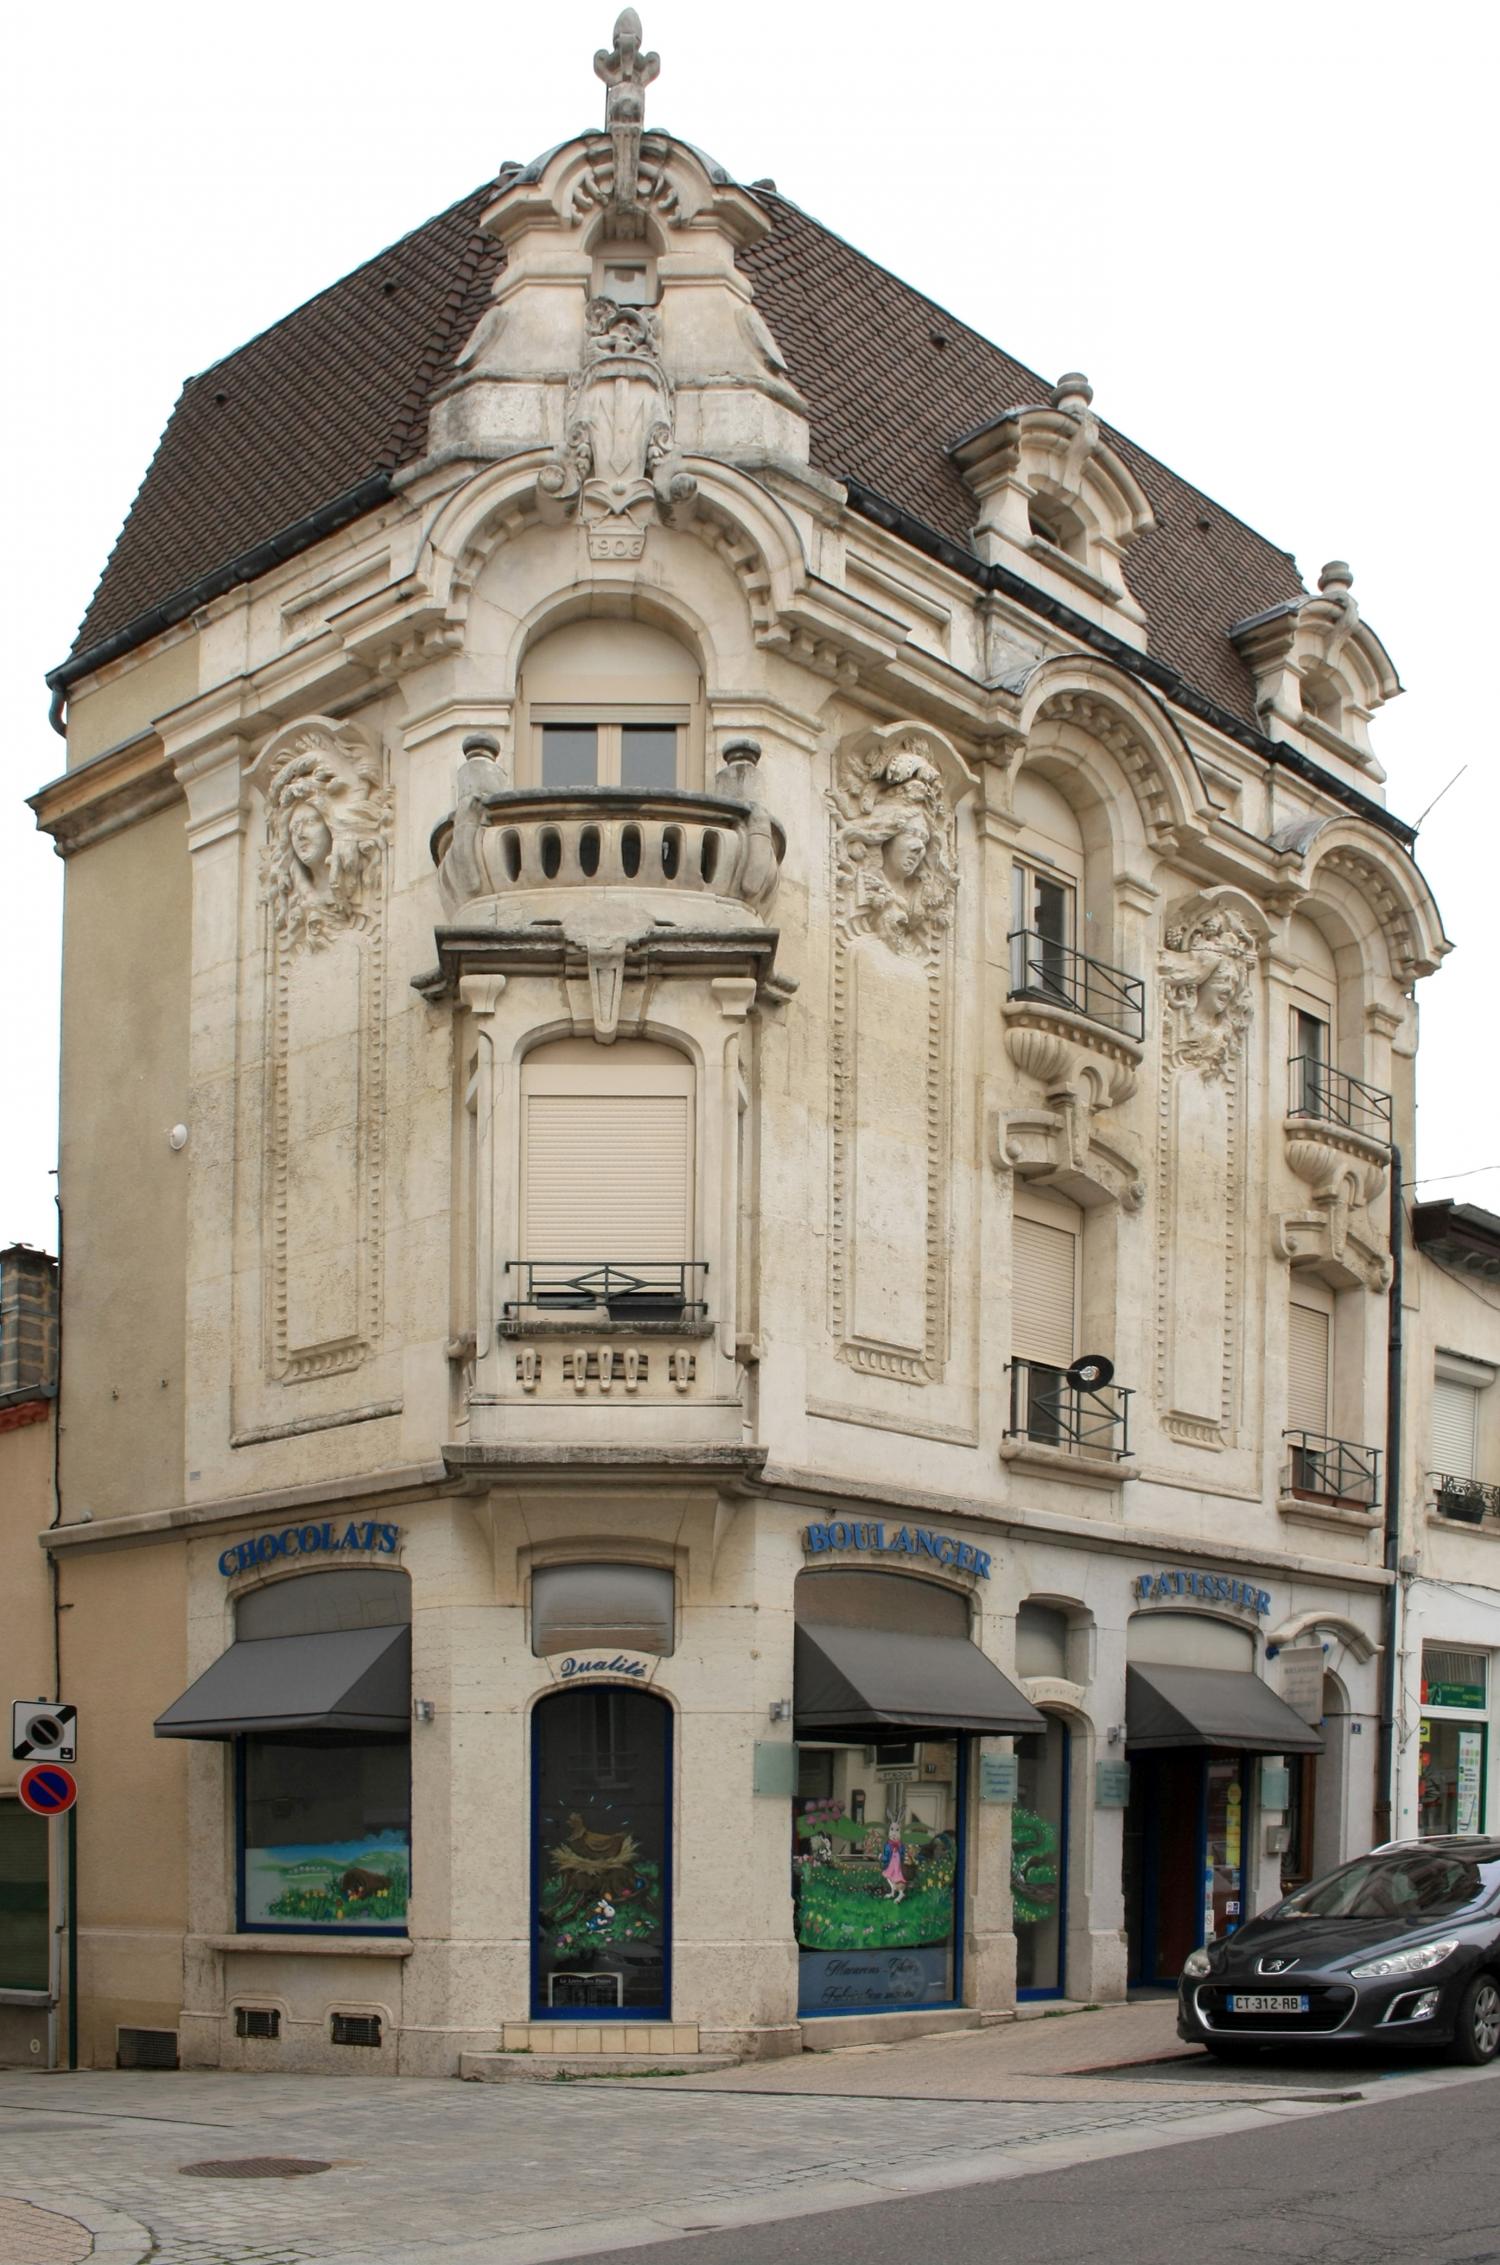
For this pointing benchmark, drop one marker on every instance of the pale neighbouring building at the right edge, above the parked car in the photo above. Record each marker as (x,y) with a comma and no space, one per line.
(1451,1535)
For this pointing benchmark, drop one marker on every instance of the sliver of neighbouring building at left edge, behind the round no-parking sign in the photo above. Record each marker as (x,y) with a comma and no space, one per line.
(28,1444)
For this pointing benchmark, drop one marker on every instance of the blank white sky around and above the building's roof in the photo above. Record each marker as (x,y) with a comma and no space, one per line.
(1265,234)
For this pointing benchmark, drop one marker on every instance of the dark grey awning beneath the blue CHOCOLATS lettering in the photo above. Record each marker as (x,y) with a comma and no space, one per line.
(348,1679)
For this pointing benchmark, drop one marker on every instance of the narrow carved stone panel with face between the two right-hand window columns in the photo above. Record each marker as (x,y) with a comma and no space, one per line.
(1209,986)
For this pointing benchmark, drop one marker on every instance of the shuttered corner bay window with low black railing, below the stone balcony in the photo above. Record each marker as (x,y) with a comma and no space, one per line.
(606,1179)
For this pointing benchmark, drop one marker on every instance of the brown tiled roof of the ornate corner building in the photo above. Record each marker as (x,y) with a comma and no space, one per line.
(339,393)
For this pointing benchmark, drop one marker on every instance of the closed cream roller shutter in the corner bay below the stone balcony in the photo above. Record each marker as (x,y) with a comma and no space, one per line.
(606,1177)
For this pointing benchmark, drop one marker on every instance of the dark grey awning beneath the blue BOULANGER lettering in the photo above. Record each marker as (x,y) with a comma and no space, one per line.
(855,1682)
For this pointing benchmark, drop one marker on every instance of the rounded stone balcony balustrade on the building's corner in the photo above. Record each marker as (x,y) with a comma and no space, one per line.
(531,844)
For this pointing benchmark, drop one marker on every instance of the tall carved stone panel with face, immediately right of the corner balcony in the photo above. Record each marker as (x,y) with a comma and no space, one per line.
(896,880)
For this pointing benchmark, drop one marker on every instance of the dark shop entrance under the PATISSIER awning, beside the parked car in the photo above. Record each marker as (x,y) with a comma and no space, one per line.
(1186,1836)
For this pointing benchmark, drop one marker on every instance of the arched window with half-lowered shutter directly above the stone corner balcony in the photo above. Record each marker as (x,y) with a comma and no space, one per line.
(611,703)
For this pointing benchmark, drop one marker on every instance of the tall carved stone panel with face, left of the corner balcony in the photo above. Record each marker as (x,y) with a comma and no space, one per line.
(327,821)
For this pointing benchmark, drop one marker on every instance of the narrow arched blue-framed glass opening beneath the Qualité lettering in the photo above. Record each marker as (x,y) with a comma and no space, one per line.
(602,1770)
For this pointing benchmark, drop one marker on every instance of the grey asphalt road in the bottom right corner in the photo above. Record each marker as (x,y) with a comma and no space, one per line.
(1408,2180)
